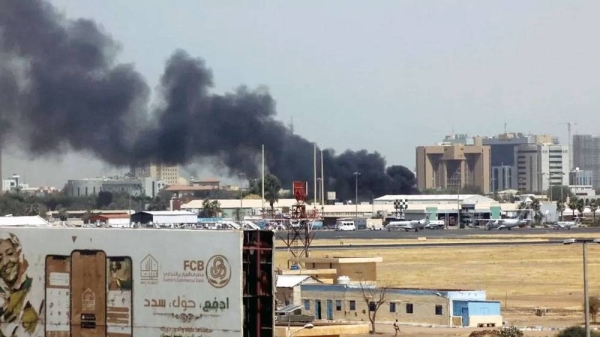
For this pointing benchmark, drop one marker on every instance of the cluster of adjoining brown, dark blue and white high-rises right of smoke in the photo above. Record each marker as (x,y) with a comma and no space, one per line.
(503,162)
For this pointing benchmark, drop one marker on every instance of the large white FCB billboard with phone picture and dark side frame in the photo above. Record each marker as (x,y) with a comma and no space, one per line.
(115,282)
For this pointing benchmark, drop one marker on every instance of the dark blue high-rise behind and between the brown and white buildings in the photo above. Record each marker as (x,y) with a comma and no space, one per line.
(502,156)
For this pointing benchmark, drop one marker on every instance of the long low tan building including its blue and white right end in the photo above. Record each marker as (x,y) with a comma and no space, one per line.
(444,307)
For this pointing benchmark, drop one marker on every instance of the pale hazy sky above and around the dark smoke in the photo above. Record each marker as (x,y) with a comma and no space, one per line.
(381,75)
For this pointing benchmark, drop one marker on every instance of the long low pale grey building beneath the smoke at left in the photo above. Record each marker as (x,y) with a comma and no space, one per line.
(135,187)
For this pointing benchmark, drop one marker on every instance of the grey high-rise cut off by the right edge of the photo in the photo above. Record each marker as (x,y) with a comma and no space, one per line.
(586,155)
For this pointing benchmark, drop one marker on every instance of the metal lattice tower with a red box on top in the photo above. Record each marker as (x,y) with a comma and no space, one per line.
(299,234)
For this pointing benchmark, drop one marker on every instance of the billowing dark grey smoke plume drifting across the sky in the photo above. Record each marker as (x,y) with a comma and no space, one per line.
(61,89)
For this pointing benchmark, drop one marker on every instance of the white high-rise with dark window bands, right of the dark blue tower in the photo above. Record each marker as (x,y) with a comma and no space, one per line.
(540,166)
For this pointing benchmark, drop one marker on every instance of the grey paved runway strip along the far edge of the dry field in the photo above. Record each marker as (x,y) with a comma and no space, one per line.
(445,234)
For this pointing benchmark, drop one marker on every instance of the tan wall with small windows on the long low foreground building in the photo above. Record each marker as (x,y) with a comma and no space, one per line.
(343,298)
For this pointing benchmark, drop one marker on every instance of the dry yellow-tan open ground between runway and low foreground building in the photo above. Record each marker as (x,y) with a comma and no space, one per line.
(522,278)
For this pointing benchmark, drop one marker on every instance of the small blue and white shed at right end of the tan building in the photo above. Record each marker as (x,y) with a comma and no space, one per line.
(476,313)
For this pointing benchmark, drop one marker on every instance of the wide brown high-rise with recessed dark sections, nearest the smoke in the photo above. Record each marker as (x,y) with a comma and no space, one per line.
(453,165)
